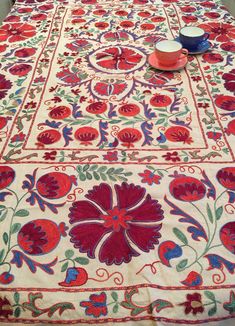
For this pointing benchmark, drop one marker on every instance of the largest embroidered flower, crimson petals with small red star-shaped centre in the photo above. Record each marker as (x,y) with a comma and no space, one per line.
(125,222)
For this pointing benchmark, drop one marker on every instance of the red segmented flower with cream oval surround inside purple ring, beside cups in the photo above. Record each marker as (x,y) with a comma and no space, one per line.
(117,59)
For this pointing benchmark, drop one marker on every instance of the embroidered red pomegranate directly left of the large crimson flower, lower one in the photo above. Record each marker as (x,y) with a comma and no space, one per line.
(41,236)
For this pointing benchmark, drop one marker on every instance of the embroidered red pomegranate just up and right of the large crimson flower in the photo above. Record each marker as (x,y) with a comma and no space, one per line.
(187,189)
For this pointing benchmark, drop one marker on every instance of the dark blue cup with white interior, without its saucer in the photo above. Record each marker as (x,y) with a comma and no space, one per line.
(192,37)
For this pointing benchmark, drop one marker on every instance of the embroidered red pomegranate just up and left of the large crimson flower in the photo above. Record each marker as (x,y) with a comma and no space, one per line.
(54,185)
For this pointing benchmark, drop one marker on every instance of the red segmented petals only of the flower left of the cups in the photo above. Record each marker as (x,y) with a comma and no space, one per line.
(119,58)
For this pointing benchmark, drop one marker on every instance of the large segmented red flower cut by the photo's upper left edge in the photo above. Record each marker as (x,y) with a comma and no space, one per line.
(16,32)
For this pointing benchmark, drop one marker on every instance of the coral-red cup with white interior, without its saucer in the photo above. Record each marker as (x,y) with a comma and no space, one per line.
(169,52)
